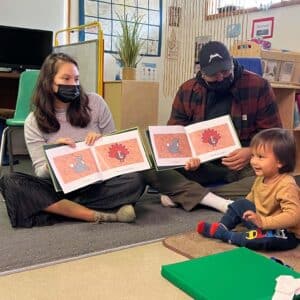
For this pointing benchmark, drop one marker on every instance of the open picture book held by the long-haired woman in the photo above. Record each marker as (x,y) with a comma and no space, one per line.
(112,155)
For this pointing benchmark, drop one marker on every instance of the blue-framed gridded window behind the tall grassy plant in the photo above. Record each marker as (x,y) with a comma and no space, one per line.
(106,13)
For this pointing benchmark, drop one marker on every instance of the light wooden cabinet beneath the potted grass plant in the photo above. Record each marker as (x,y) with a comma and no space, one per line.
(132,103)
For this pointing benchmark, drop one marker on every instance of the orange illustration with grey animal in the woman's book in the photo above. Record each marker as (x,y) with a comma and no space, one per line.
(75,165)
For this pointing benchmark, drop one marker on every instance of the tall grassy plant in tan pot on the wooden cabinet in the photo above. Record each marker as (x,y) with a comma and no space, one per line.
(129,45)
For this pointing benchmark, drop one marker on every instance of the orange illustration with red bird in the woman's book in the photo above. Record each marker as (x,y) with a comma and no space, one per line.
(119,154)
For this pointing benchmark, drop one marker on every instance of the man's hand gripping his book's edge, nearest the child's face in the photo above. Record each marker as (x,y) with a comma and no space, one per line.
(237,159)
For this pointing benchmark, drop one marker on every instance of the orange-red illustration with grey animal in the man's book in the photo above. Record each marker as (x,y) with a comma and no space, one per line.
(172,145)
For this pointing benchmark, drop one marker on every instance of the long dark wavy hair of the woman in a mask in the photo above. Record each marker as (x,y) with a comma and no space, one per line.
(44,98)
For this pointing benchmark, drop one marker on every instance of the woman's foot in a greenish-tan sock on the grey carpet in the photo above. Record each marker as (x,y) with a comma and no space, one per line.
(125,214)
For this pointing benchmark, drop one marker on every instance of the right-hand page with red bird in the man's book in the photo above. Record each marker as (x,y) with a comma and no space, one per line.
(213,139)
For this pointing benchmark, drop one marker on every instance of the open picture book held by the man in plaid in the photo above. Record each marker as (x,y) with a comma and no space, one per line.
(173,145)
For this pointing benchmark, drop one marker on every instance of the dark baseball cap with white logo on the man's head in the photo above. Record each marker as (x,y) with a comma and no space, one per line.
(214,57)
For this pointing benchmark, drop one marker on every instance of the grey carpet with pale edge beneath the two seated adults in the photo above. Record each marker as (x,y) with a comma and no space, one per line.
(22,249)
